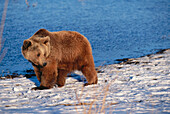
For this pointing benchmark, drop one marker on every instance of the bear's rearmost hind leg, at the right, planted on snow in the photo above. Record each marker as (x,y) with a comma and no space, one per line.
(90,74)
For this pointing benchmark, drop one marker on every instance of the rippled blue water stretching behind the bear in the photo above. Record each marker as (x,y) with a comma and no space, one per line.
(115,28)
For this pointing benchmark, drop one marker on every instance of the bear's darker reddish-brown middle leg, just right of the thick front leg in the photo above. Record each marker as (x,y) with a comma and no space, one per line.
(62,74)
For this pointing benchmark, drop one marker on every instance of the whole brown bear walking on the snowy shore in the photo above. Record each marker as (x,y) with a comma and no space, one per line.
(55,54)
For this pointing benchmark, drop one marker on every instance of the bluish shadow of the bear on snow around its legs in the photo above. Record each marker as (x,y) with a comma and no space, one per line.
(79,78)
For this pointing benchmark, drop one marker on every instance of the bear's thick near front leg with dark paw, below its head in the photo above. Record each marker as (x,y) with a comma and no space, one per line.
(48,76)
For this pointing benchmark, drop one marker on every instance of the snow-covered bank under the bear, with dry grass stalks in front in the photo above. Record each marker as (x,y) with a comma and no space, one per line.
(140,85)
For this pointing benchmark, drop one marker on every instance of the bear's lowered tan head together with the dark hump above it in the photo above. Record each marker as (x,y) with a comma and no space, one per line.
(36,49)
